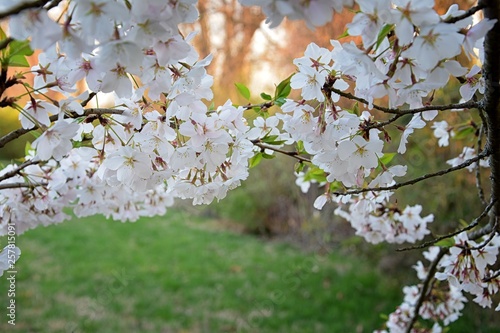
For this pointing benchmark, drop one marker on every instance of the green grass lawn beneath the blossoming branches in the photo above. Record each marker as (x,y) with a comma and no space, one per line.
(180,274)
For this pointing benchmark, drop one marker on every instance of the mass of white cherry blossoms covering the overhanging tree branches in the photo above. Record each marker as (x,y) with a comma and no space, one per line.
(157,139)
